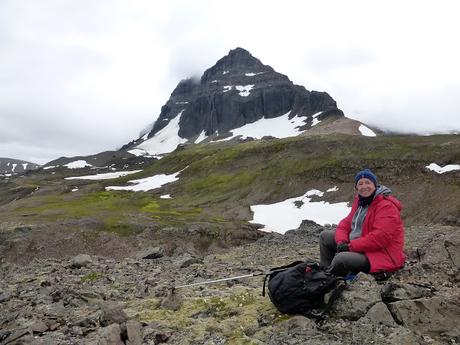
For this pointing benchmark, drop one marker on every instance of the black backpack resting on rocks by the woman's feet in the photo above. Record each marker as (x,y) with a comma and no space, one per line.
(299,288)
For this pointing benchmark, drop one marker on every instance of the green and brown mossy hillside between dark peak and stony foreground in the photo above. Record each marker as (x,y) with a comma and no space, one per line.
(212,198)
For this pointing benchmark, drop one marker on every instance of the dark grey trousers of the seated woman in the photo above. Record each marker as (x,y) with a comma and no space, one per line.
(340,263)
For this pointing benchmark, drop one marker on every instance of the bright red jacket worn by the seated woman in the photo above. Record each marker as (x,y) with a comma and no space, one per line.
(382,238)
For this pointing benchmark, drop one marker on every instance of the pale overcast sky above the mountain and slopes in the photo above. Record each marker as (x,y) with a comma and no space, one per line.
(82,76)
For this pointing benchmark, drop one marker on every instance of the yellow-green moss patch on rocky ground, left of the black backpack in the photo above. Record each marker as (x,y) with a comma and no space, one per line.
(234,315)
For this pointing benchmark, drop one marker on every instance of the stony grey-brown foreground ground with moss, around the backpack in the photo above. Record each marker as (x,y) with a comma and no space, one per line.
(98,300)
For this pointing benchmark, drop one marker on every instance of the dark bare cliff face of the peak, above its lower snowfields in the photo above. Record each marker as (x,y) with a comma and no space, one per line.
(237,90)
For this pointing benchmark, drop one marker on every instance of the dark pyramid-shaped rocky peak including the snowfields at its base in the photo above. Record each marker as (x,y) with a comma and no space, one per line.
(239,90)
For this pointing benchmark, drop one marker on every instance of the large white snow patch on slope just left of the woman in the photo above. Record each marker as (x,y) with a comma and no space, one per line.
(289,214)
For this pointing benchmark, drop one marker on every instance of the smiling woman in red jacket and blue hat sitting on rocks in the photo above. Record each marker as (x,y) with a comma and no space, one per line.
(371,238)
